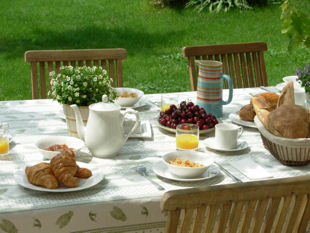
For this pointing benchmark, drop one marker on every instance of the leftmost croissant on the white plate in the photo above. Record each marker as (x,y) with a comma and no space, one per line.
(41,174)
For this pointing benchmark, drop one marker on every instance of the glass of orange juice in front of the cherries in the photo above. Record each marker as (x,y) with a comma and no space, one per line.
(187,136)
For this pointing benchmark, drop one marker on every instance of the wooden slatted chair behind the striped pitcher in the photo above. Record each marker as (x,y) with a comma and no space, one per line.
(243,62)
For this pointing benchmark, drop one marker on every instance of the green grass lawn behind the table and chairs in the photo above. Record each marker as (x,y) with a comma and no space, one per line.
(153,38)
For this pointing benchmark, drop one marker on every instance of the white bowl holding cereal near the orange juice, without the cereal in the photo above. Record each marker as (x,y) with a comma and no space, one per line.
(187,172)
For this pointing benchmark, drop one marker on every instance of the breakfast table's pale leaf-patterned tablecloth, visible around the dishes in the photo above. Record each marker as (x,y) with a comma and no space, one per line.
(123,200)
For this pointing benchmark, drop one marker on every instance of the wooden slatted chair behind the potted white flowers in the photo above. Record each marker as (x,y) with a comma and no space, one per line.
(44,61)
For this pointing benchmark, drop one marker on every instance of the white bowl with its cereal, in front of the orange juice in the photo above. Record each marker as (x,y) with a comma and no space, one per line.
(187,164)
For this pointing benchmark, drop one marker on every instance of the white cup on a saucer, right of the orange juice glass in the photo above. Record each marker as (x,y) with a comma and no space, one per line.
(227,134)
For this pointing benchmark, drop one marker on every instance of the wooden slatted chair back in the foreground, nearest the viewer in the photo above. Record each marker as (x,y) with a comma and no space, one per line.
(263,206)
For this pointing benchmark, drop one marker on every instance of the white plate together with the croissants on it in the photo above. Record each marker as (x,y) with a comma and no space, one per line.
(61,174)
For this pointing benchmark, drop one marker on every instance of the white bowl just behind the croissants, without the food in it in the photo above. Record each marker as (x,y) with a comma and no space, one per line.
(47,141)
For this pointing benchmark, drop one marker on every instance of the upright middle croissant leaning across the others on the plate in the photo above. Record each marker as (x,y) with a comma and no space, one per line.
(64,168)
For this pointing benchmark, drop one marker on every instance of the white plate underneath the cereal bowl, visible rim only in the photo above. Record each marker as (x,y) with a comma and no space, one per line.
(161,170)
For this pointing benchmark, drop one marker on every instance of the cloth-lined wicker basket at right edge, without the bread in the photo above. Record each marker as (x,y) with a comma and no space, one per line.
(291,152)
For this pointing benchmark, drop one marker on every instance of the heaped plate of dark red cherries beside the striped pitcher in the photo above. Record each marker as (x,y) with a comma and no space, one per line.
(187,112)
